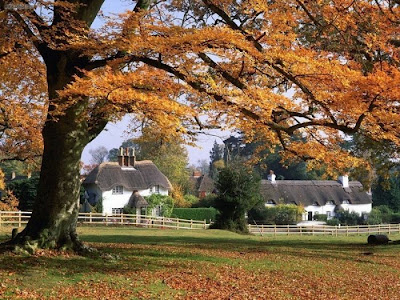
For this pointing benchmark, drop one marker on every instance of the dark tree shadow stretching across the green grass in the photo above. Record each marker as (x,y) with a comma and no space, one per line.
(135,258)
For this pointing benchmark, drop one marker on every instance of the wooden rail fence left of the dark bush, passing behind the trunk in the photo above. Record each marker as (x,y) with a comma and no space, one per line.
(20,218)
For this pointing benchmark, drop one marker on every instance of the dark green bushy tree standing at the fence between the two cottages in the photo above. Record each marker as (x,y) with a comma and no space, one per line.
(238,192)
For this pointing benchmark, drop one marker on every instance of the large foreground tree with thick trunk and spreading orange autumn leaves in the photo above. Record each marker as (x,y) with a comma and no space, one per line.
(321,68)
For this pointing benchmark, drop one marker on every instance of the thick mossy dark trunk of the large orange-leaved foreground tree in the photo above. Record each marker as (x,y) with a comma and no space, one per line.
(54,216)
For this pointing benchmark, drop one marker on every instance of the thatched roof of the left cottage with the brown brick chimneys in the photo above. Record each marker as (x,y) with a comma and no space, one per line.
(144,175)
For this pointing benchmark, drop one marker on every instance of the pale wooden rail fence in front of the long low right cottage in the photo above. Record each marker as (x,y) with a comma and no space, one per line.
(324,229)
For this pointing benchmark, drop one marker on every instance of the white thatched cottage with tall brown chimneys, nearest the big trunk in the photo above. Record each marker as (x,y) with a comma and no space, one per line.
(125,182)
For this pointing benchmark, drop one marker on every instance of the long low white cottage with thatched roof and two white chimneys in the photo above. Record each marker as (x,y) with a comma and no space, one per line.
(317,196)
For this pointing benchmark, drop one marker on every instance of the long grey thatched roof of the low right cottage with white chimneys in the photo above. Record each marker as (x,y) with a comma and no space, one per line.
(310,192)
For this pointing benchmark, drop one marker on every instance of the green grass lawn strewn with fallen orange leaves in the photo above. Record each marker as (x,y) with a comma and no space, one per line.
(206,264)
